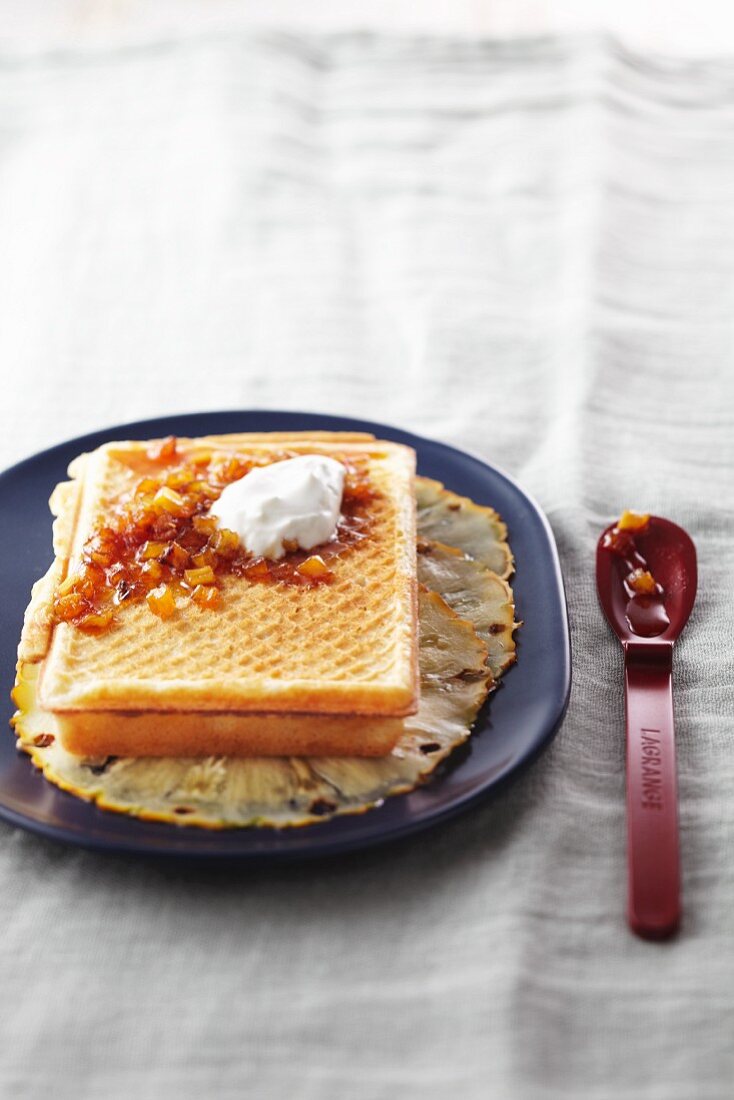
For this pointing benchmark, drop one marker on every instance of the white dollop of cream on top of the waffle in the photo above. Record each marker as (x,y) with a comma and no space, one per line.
(298,500)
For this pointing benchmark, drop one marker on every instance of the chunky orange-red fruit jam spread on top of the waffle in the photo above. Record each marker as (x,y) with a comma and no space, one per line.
(159,544)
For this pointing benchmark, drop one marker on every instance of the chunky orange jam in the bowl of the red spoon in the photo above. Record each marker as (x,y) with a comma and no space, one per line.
(645,611)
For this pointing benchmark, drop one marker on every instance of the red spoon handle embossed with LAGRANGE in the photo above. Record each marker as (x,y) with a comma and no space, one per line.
(654,899)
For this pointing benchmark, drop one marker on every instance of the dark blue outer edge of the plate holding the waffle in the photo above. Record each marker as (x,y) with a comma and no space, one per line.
(177,848)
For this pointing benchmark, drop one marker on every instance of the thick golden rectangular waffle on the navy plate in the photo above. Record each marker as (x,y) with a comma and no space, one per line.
(319,657)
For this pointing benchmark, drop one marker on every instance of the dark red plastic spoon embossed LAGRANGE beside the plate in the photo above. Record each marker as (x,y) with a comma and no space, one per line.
(648,629)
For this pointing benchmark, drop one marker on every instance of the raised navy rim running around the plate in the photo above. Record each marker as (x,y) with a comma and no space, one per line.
(194,845)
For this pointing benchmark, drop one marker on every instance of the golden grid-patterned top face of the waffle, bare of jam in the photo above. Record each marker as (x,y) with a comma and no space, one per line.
(357,630)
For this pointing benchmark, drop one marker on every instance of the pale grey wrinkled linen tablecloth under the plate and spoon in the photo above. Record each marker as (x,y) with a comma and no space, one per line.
(523,249)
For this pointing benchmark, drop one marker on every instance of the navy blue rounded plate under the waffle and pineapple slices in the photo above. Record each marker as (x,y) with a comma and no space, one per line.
(520,721)
